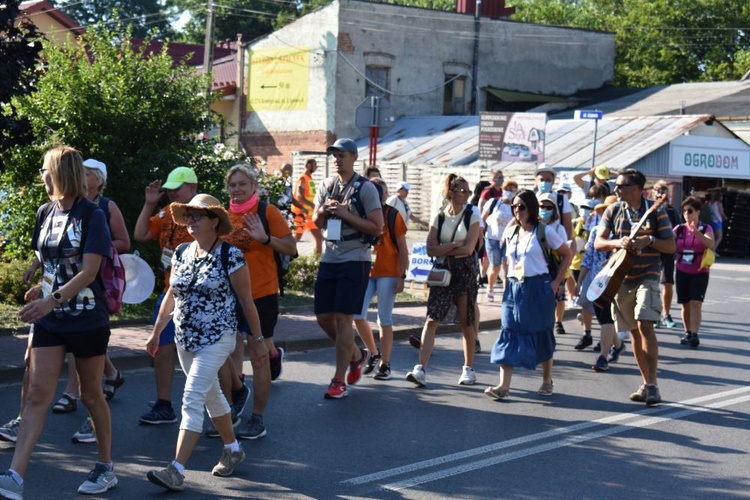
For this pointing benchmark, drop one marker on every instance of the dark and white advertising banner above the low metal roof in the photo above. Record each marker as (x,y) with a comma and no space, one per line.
(512,136)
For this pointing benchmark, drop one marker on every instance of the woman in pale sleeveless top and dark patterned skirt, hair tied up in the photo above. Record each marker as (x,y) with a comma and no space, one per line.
(453,237)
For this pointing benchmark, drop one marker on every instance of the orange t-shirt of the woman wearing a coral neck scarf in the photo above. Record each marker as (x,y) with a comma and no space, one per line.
(260,261)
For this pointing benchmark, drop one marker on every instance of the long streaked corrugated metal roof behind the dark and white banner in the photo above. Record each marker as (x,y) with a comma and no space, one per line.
(453,140)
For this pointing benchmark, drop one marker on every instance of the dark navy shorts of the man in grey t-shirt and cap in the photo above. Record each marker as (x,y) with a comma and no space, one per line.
(340,288)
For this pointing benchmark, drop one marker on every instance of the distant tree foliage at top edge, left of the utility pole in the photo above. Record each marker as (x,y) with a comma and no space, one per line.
(143,16)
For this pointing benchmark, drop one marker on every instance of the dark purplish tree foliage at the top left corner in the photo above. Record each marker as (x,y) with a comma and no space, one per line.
(19,51)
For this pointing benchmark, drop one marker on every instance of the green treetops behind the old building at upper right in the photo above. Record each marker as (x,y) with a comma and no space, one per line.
(659,41)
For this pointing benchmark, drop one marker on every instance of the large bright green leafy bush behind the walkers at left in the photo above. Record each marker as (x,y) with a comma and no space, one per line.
(140,114)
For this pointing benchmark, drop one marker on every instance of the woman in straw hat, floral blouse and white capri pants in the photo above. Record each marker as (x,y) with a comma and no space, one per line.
(205,287)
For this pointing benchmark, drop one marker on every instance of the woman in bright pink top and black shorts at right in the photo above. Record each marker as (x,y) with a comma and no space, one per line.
(692,239)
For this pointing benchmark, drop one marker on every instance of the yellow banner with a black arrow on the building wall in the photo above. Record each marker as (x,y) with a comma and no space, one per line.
(278,79)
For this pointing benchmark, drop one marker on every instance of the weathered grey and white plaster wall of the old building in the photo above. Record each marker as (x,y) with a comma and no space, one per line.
(421,47)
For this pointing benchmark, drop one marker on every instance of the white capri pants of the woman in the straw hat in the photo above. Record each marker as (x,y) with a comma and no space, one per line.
(202,384)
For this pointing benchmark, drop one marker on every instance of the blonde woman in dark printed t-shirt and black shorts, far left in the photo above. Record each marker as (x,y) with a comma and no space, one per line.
(69,313)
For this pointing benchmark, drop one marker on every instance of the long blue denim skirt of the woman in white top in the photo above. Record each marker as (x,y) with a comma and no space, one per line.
(528,319)
